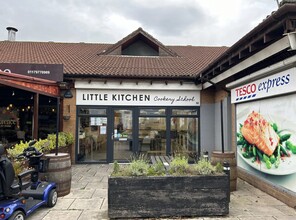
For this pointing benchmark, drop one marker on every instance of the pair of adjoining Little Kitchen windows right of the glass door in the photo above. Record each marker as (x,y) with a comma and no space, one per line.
(182,137)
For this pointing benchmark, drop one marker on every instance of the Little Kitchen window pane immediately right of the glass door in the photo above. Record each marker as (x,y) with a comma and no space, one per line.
(152,131)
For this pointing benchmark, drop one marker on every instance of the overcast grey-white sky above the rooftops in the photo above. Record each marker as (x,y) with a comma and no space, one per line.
(172,22)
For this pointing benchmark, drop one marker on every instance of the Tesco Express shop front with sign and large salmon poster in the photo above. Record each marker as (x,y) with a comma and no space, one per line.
(266,134)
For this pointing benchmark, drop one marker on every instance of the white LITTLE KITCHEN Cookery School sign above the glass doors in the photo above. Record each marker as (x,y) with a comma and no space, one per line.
(137,98)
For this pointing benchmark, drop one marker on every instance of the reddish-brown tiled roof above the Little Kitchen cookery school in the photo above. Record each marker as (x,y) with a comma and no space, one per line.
(86,59)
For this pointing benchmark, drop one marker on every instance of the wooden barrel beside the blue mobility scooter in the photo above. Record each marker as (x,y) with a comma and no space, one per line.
(59,171)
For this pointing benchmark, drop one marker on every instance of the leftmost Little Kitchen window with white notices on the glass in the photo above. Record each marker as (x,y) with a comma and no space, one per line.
(92,144)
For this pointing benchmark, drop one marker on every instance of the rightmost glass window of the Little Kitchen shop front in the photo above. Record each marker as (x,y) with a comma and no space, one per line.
(184,132)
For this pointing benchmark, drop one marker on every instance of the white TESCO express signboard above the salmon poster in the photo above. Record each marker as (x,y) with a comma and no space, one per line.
(280,83)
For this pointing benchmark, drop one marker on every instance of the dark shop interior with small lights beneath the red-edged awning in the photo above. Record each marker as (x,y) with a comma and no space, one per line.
(16,115)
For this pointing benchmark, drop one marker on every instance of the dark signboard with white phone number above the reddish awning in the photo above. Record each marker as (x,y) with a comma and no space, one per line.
(52,72)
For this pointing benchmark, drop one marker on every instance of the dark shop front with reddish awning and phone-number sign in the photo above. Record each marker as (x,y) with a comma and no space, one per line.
(28,101)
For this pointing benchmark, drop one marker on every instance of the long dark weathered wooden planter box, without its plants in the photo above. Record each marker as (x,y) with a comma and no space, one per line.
(168,196)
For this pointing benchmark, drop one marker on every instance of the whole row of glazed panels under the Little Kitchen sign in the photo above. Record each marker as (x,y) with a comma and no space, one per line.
(149,132)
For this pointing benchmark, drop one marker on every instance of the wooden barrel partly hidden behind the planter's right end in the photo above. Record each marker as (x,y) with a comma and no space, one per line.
(219,157)
